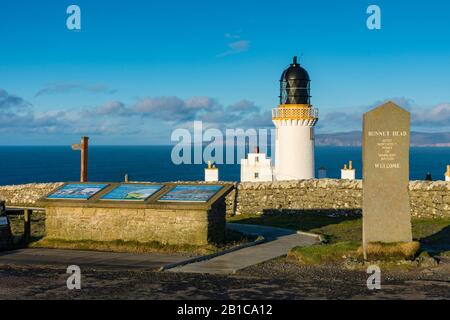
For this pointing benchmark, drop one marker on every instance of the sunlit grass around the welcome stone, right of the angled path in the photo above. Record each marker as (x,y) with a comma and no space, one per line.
(343,237)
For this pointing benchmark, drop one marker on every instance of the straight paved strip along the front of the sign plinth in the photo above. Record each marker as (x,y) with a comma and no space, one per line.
(92,259)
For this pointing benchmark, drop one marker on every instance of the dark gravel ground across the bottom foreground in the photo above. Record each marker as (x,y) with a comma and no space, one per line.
(276,279)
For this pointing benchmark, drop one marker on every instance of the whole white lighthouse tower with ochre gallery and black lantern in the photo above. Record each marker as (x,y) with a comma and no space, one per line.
(294,120)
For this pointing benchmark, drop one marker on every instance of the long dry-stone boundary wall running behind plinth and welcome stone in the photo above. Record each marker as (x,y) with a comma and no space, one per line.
(428,199)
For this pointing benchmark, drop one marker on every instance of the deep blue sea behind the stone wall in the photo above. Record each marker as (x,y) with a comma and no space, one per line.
(153,163)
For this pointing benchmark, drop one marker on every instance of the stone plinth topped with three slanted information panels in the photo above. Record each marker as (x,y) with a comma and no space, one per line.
(164,216)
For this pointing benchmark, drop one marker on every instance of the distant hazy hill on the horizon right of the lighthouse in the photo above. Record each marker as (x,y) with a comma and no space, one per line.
(353,138)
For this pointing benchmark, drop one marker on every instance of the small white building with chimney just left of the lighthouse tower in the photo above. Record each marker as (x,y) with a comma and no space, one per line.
(257,167)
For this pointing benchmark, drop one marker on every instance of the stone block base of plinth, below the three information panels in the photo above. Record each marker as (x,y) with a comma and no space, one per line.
(194,227)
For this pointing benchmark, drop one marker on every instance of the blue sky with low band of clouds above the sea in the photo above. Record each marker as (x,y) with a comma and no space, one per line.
(137,70)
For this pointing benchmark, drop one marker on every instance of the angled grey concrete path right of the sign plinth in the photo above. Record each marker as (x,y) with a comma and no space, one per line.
(279,242)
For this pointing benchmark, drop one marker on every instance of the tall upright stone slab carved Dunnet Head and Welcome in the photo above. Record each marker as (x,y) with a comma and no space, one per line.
(386,206)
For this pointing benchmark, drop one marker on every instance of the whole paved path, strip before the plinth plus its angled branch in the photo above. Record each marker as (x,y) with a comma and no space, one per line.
(279,241)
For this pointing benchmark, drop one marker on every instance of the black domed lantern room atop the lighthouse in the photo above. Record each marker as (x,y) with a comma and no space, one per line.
(294,85)
